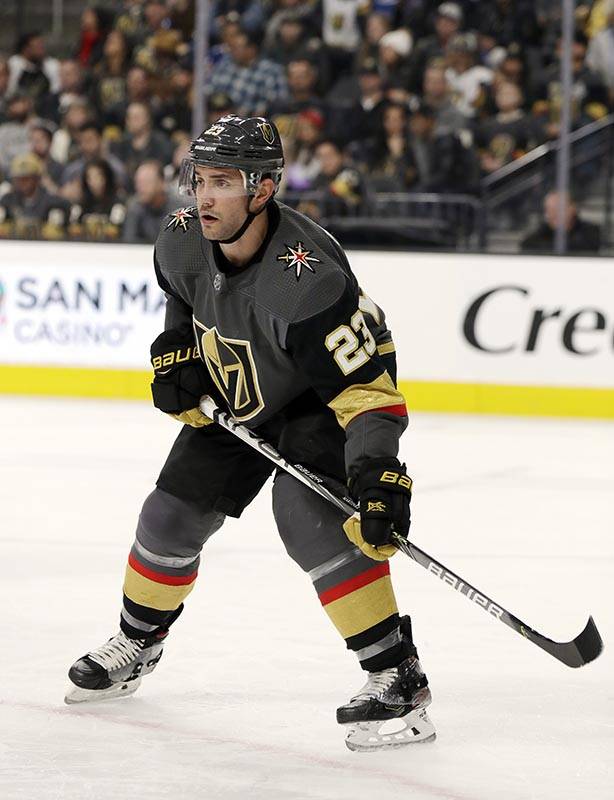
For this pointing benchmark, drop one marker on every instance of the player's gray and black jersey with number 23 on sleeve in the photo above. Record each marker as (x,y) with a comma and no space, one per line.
(291,323)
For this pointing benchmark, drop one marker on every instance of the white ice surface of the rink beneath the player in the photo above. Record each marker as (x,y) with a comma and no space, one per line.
(242,706)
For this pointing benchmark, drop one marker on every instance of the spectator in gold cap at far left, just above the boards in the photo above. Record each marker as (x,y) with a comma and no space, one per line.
(29,210)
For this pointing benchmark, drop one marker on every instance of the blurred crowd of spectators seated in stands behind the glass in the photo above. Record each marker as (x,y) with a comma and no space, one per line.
(369,96)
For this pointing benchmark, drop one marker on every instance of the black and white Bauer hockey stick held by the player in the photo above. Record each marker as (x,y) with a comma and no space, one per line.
(585,648)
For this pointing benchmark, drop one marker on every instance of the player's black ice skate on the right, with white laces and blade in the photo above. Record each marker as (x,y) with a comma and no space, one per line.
(389,710)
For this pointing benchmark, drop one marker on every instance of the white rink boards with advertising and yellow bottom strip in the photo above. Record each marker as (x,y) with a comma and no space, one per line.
(489,334)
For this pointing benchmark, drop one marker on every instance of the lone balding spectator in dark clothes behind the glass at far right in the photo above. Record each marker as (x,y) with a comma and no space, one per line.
(582,237)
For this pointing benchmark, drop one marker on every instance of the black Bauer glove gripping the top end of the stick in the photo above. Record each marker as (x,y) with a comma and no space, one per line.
(180,377)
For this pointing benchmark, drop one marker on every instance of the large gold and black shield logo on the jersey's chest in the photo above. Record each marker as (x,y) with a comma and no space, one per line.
(231,365)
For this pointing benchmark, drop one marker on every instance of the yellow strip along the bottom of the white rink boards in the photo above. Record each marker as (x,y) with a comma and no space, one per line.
(549,401)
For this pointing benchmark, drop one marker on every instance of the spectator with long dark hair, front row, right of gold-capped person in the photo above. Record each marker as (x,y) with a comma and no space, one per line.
(102,210)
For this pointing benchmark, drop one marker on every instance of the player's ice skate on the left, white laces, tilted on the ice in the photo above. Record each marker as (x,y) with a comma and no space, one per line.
(114,669)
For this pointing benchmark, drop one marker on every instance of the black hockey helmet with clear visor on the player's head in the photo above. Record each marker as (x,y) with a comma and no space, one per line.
(250,145)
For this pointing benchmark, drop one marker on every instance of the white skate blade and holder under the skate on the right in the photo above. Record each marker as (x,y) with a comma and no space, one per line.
(413,728)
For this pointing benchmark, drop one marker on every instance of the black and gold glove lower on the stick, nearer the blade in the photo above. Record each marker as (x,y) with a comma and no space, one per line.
(383,490)
